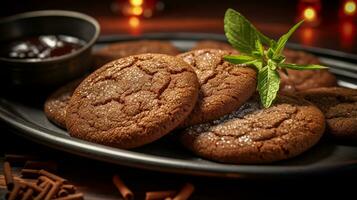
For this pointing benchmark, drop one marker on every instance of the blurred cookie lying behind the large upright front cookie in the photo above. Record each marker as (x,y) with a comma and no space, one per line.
(123,49)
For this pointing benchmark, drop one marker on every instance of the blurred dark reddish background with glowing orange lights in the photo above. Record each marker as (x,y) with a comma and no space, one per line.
(328,23)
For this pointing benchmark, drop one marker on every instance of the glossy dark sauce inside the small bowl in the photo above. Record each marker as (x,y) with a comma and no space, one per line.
(40,47)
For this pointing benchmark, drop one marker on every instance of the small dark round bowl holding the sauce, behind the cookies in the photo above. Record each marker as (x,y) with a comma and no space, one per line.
(47,73)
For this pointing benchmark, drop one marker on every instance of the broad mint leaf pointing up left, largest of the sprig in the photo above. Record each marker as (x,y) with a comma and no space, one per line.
(241,34)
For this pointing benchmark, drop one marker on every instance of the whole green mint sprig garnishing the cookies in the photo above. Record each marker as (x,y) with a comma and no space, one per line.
(261,52)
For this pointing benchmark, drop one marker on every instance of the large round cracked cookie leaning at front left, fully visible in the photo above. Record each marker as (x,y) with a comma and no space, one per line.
(132,101)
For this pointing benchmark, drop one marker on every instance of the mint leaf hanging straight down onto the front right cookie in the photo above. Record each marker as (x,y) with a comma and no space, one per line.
(268,85)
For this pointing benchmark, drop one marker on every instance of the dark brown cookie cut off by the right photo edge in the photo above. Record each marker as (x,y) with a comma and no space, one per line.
(340,108)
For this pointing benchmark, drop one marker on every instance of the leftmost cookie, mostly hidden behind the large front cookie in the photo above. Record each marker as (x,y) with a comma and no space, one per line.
(56,104)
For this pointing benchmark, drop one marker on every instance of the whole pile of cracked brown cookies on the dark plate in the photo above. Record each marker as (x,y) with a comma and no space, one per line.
(146,91)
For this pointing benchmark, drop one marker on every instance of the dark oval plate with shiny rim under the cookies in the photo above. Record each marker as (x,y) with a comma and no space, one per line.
(166,154)
